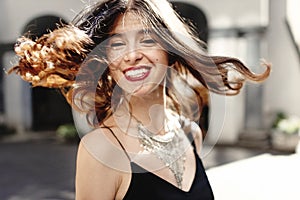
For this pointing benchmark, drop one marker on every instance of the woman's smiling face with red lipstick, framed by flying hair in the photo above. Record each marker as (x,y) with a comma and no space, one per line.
(137,62)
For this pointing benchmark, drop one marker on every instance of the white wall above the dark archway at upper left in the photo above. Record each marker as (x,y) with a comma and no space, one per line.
(18,13)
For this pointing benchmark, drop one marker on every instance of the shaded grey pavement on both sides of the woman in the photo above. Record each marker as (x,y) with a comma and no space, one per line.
(44,169)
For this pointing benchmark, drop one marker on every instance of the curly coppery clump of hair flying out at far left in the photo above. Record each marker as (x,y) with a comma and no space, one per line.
(53,60)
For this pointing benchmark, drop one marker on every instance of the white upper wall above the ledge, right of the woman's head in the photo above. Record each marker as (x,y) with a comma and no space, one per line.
(233,13)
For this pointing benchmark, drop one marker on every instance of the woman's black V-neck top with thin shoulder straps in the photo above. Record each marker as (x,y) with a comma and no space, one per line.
(148,186)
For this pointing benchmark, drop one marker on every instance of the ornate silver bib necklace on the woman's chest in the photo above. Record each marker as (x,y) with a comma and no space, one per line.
(169,148)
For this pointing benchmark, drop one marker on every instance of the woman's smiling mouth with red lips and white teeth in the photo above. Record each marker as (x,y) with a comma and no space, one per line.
(137,73)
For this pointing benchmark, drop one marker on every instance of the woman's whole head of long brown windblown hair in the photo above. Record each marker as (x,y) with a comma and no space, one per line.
(64,59)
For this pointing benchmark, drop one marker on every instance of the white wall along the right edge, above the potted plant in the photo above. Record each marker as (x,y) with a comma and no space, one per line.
(282,88)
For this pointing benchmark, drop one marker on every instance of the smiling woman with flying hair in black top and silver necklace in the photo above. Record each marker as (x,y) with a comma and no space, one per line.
(139,73)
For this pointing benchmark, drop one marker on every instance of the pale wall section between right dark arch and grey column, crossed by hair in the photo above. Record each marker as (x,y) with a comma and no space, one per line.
(231,108)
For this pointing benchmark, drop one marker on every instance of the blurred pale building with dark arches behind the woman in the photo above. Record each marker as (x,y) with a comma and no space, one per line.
(249,30)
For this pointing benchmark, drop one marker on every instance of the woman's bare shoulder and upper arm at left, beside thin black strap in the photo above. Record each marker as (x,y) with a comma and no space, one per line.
(96,175)
